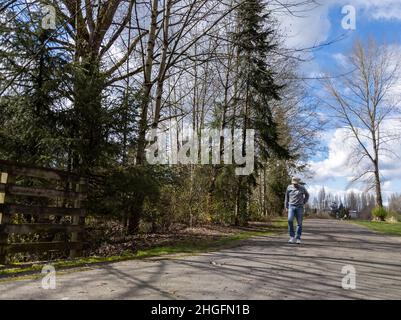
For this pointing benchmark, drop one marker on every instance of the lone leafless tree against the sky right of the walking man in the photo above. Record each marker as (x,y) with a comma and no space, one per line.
(363,100)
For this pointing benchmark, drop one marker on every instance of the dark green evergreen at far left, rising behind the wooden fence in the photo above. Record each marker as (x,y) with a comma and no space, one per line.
(29,130)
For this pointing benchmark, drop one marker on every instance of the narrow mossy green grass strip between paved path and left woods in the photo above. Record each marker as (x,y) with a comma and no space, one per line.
(195,246)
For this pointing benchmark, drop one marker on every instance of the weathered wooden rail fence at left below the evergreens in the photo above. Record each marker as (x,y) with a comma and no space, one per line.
(34,200)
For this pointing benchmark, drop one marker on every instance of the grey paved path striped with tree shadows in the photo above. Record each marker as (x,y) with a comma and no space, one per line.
(261,268)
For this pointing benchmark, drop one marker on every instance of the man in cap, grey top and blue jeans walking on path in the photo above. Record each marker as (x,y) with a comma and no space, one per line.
(296,197)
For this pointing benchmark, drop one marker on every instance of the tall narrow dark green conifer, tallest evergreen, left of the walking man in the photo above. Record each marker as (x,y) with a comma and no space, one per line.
(254,42)
